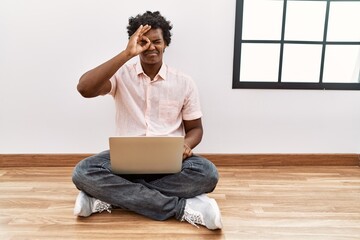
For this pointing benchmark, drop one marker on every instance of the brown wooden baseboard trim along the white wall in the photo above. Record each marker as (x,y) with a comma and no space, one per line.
(70,160)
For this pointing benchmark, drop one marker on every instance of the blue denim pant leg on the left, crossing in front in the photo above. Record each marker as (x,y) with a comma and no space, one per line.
(93,175)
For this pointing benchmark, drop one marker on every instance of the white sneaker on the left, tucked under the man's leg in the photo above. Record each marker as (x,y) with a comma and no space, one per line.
(86,205)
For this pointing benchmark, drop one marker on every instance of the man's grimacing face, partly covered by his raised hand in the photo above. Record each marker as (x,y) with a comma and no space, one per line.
(154,54)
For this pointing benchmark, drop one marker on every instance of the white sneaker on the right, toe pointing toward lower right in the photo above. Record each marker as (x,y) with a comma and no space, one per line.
(202,210)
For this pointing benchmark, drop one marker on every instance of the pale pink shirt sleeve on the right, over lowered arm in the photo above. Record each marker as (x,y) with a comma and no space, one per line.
(192,108)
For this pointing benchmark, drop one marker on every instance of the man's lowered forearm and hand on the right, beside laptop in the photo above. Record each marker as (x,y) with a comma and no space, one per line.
(193,136)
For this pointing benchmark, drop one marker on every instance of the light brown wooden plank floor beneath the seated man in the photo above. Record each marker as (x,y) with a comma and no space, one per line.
(256,203)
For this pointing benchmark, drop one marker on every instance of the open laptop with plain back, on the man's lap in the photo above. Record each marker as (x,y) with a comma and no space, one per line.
(146,155)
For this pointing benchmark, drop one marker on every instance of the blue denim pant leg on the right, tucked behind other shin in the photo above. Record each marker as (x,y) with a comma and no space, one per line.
(198,176)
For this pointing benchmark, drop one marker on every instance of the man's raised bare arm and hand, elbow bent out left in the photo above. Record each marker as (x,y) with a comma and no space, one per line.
(96,81)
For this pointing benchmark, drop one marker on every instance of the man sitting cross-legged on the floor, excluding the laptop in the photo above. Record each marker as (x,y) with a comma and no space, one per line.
(151,99)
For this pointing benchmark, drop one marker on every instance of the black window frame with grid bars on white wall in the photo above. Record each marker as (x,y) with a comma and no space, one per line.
(238,41)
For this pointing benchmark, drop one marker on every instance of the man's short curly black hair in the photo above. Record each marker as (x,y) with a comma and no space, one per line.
(155,20)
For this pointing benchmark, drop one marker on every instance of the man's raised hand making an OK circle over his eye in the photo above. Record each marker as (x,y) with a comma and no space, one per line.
(138,42)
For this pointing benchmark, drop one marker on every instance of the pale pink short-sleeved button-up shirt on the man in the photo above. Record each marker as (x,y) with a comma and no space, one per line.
(157,107)
